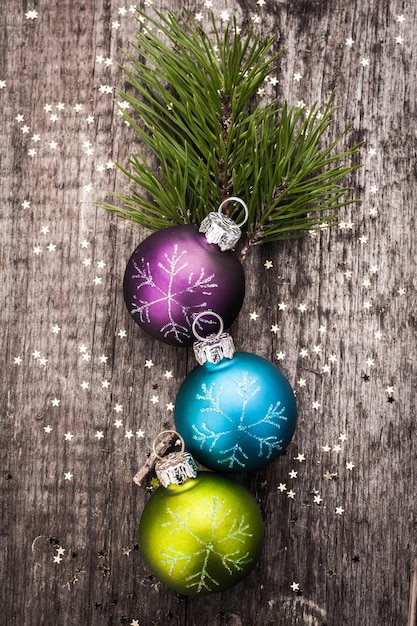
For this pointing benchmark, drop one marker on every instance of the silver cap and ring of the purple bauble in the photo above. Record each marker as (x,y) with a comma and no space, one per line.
(221,229)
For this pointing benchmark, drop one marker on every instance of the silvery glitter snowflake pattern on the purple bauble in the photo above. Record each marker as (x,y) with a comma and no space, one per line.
(169,295)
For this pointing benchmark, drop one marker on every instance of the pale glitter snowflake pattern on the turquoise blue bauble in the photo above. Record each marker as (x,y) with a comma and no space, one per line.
(247,390)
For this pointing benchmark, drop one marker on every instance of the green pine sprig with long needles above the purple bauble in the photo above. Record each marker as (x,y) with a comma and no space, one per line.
(194,106)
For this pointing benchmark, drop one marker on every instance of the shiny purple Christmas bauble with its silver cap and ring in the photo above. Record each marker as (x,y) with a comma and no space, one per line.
(181,271)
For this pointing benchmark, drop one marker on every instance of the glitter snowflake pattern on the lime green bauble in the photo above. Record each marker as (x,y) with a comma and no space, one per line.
(208,547)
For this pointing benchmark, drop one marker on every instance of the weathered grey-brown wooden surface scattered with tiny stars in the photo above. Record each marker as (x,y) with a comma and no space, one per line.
(341,534)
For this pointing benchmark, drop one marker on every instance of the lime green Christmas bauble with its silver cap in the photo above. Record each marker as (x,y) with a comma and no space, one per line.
(200,533)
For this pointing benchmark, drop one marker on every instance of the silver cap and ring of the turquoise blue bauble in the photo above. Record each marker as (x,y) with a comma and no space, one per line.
(215,347)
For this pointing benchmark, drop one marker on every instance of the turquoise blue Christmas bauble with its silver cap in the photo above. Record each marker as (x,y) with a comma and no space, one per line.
(235,411)
